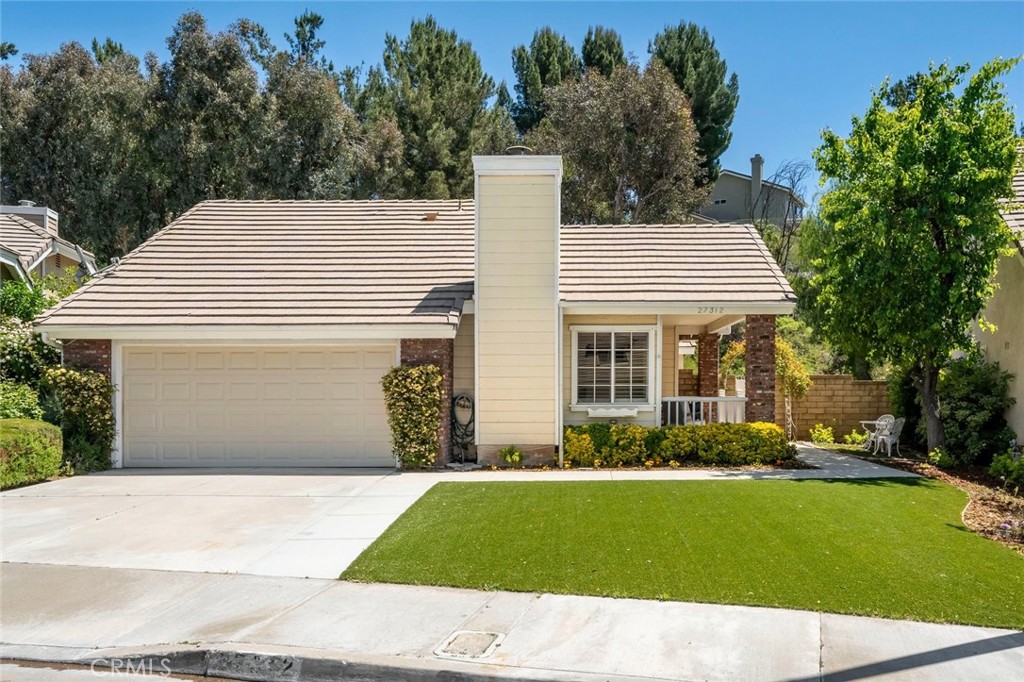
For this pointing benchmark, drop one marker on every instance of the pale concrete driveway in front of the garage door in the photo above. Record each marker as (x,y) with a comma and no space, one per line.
(300,524)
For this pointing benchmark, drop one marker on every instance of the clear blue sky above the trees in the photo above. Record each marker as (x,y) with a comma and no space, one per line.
(802,66)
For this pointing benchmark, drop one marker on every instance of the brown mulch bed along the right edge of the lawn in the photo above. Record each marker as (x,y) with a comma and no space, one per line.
(991,505)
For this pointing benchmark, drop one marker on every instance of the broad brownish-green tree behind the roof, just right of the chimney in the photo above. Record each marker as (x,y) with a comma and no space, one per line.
(629,145)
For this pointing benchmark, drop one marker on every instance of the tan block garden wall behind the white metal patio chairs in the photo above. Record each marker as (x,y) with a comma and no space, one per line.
(838,401)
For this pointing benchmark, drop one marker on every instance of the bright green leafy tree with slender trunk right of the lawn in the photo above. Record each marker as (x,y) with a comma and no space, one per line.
(917,233)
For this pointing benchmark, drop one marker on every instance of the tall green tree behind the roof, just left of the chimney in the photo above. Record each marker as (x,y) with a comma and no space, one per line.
(433,87)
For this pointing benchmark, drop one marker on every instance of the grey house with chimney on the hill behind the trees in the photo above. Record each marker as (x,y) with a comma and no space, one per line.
(740,198)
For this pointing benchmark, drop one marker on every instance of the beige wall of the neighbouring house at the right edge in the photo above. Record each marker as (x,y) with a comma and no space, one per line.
(1007,346)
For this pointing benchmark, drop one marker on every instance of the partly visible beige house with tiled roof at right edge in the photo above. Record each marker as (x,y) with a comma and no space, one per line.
(1006,312)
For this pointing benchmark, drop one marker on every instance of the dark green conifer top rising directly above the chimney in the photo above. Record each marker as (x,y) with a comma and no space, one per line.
(549,61)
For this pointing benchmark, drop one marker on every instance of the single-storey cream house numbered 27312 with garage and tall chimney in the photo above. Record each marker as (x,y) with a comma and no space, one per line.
(257,333)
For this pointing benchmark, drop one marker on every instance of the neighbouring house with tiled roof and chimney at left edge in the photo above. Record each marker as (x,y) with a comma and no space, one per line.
(31,247)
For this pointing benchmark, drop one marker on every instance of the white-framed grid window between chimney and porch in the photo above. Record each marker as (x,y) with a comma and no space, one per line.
(612,367)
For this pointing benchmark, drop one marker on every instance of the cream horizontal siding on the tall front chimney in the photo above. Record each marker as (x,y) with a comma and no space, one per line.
(517,315)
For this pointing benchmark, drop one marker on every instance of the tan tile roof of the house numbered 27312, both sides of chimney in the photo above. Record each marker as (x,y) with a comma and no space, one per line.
(249,264)
